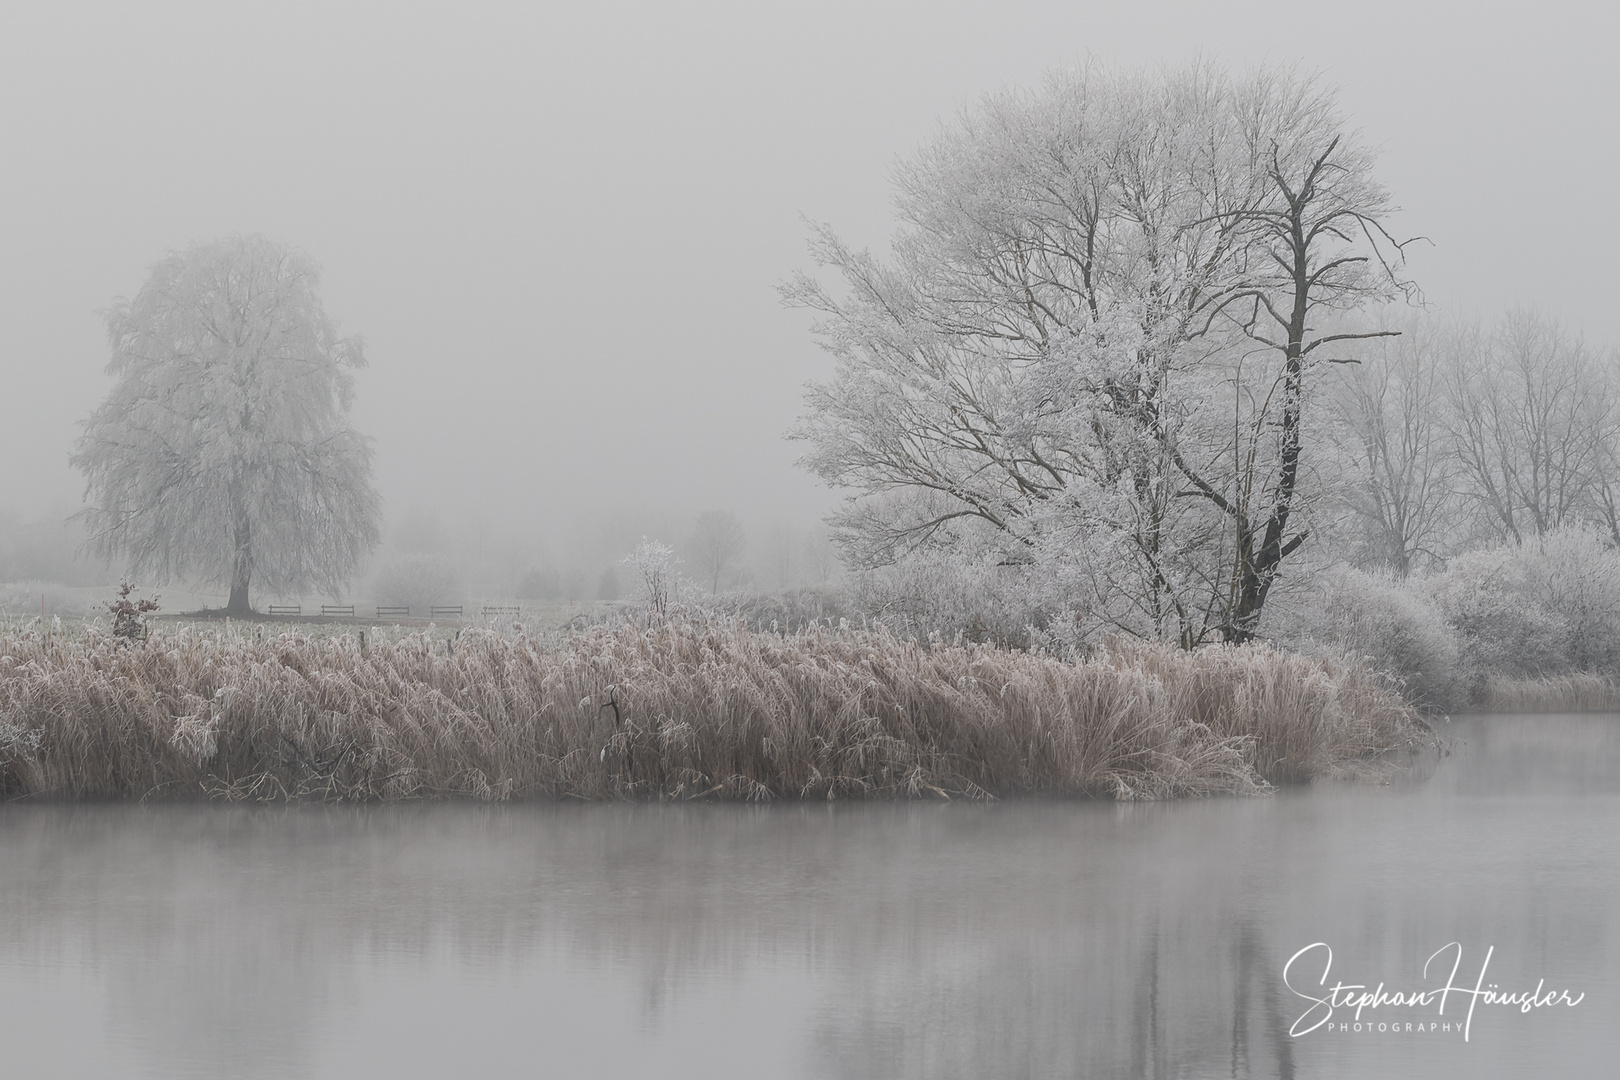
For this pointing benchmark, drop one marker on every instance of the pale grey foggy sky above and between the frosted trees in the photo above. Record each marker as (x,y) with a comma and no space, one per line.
(560,231)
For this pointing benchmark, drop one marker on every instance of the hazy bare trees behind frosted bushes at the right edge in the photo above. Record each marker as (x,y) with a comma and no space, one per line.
(1464,435)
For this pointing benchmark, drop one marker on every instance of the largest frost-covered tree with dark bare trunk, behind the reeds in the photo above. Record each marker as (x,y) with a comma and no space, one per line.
(1094,344)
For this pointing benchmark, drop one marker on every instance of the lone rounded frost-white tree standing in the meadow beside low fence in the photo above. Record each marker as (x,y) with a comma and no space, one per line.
(224,451)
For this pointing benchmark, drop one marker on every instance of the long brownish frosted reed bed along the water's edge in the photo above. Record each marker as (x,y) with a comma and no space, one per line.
(686,708)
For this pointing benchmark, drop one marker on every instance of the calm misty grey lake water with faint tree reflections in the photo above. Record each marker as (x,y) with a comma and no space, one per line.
(1017,940)
